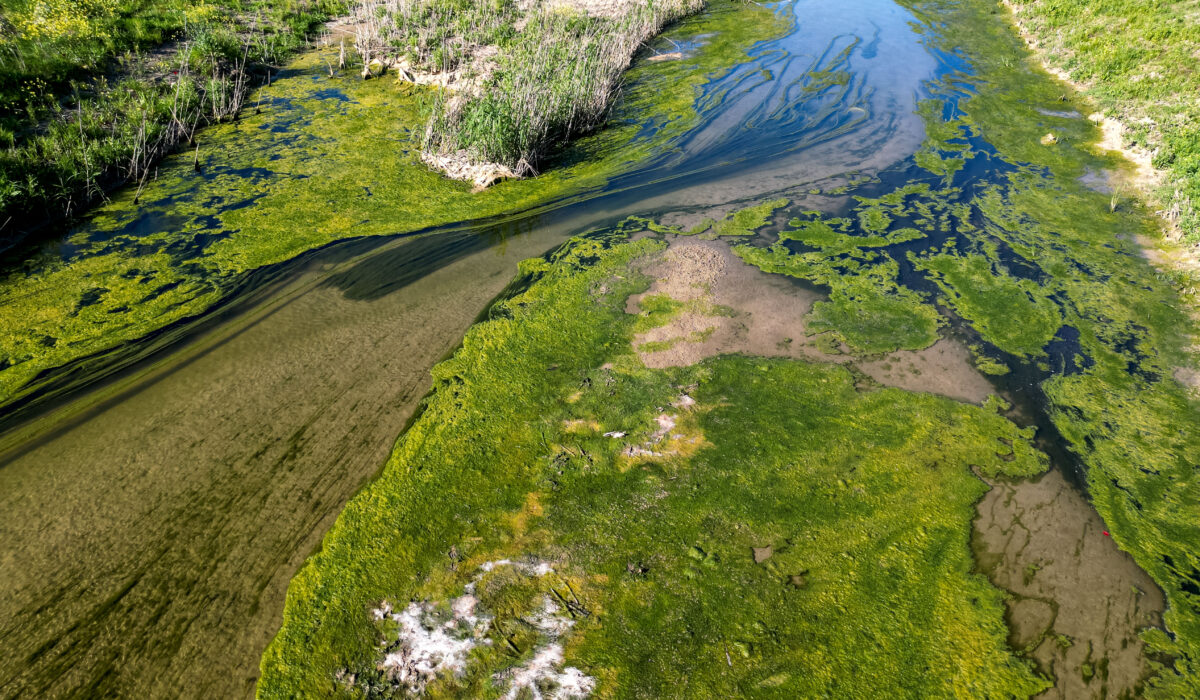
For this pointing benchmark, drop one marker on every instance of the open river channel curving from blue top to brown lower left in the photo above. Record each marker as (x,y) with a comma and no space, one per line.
(157,500)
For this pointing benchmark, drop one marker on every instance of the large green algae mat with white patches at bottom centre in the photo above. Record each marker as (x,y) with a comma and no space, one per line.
(860,506)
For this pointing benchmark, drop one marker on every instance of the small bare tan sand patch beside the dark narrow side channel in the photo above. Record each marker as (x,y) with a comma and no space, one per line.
(945,368)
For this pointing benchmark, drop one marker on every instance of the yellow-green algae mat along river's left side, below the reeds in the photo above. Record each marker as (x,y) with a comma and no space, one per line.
(305,169)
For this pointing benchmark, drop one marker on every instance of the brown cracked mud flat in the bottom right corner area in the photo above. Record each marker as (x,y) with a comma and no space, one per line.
(1078,603)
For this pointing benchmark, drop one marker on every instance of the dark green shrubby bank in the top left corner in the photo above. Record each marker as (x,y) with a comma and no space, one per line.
(93,93)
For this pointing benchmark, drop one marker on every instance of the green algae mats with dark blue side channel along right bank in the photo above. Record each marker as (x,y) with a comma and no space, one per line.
(1045,270)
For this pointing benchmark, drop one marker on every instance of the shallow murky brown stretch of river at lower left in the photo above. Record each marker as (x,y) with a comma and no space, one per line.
(165,527)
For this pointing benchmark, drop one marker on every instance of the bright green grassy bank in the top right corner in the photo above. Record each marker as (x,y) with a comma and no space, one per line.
(1136,59)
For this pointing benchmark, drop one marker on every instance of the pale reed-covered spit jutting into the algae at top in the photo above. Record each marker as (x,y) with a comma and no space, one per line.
(520,80)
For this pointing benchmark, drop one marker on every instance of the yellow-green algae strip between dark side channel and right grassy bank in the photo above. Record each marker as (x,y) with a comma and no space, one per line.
(1136,429)
